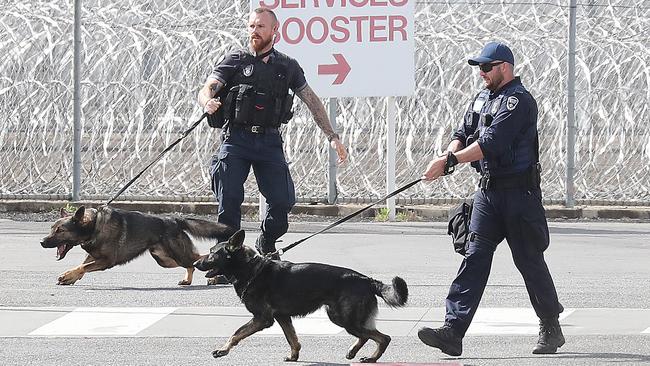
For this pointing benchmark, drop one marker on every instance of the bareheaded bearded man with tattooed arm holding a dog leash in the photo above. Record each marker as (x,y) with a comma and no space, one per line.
(248,96)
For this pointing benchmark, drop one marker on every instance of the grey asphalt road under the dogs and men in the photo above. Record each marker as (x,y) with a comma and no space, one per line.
(600,270)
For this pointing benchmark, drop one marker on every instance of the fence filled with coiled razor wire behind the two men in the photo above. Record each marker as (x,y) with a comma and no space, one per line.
(143,63)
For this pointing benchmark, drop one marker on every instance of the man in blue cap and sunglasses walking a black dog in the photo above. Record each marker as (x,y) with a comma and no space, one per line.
(499,137)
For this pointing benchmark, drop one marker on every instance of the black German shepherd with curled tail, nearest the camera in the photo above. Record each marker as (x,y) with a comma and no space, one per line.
(279,290)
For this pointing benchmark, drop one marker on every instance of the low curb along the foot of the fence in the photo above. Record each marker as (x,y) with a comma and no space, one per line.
(409,213)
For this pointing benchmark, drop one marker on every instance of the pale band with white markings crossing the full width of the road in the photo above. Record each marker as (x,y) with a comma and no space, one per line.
(223,321)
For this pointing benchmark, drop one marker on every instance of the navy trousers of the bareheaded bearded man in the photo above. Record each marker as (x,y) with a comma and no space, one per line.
(240,150)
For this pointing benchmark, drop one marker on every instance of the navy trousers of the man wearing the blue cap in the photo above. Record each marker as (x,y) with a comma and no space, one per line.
(518,216)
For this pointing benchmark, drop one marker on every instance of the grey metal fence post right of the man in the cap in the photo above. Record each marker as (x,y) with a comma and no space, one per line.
(571,93)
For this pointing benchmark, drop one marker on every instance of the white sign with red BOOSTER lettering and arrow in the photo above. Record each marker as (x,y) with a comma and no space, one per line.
(349,48)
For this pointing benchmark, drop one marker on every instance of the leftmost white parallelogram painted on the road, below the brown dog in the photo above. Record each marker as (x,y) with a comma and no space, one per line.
(103,322)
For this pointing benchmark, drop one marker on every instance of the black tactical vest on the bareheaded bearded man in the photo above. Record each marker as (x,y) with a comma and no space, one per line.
(257,94)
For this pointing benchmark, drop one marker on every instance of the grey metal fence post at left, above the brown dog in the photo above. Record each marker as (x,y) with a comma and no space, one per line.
(76,71)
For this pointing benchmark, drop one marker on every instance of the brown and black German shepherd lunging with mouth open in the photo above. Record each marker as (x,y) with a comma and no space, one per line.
(112,237)
